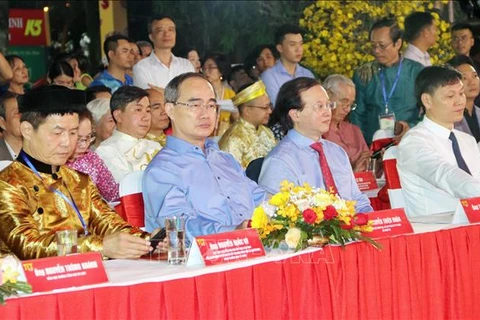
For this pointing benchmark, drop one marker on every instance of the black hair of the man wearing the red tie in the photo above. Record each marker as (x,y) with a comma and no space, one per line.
(288,98)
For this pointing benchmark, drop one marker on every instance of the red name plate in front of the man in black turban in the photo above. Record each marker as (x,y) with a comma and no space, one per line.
(73,270)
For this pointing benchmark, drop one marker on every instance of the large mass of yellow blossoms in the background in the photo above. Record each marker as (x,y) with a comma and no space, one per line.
(337,32)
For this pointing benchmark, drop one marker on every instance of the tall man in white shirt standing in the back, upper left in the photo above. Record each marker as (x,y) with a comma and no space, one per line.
(161,66)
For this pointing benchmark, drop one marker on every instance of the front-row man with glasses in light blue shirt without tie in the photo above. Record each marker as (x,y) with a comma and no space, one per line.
(190,176)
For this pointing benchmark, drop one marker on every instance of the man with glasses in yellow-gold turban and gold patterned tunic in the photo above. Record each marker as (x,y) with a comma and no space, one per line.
(248,138)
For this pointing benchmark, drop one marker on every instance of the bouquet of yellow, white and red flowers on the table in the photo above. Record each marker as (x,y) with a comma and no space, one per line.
(297,215)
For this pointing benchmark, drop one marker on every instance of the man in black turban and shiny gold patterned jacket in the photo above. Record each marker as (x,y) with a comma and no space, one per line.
(39,195)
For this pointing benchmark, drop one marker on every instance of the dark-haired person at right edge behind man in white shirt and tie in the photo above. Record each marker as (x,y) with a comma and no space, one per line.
(471,115)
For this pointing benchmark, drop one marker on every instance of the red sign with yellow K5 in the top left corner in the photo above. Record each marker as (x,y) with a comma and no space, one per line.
(28,27)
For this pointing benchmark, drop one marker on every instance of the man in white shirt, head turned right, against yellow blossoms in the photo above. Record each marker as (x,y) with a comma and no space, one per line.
(421,35)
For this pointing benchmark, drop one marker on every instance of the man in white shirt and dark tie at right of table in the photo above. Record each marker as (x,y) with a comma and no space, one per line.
(437,164)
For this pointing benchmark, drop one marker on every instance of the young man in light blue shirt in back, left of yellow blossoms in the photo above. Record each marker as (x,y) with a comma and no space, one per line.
(289,41)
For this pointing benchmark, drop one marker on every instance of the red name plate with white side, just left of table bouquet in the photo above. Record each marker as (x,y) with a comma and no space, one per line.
(225,247)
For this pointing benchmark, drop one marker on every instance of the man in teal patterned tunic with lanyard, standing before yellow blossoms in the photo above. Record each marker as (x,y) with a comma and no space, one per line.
(385,86)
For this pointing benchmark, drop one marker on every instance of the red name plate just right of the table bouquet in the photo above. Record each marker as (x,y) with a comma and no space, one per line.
(388,223)
